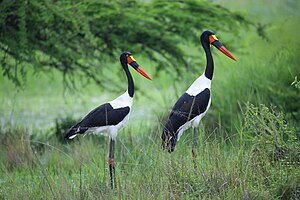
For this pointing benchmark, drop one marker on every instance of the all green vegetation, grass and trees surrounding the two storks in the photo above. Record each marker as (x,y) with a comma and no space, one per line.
(59,59)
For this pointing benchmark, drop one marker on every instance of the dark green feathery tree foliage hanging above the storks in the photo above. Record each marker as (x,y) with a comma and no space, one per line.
(78,37)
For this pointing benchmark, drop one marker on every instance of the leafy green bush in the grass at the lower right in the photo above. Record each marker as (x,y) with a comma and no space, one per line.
(275,151)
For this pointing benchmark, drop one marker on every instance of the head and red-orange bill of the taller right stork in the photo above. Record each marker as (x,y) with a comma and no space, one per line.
(210,38)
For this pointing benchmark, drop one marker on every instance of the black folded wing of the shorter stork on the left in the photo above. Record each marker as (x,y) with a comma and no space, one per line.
(101,116)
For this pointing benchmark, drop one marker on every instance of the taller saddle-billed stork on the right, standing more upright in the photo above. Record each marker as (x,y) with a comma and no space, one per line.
(194,103)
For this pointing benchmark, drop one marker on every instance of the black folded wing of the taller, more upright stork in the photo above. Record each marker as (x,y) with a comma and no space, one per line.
(186,108)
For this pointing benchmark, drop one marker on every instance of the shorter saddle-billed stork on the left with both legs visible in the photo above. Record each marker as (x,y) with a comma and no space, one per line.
(110,117)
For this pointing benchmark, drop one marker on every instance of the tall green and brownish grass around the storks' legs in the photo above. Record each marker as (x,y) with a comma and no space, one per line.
(261,161)
